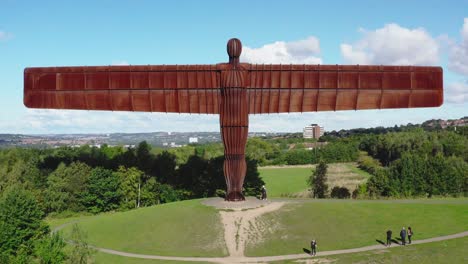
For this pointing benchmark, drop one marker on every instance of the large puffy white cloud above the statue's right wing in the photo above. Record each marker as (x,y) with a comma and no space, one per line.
(394,45)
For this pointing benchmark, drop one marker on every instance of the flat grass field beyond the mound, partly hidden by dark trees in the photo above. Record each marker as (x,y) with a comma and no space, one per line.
(291,181)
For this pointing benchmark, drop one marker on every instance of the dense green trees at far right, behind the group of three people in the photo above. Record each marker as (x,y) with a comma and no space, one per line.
(417,163)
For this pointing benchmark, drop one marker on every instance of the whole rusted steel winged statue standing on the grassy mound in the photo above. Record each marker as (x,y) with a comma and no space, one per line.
(233,90)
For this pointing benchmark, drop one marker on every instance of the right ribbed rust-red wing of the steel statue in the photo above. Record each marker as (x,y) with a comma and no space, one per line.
(312,88)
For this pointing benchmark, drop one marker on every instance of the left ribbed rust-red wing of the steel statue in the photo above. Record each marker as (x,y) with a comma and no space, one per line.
(171,88)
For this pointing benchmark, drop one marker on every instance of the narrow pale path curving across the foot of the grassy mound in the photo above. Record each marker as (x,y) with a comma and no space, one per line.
(230,259)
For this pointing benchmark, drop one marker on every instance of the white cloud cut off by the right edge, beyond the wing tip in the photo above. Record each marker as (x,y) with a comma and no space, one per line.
(458,61)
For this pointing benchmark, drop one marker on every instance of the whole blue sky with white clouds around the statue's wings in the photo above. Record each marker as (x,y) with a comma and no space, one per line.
(65,33)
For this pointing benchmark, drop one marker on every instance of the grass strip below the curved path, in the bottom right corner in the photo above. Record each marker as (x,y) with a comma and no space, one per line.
(450,251)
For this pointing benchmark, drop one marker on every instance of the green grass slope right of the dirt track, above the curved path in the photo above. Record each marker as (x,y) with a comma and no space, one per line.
(350,224)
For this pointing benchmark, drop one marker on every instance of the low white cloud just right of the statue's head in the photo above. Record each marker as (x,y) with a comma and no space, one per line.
(304,51)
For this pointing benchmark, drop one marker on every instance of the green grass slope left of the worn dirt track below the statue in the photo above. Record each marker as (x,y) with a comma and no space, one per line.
(185,228)
